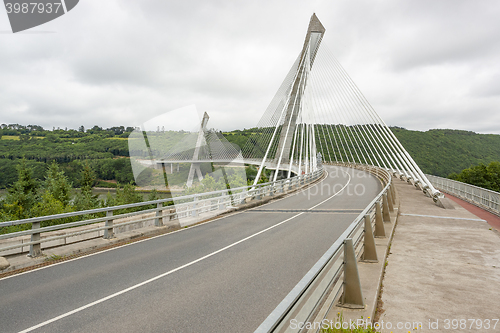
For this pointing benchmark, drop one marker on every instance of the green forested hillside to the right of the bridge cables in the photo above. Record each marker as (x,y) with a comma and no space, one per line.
(443,151)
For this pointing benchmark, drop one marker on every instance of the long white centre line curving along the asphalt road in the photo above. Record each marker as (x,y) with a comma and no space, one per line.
(175,269)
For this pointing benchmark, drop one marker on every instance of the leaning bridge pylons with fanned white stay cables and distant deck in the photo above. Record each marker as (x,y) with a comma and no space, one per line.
(318,114)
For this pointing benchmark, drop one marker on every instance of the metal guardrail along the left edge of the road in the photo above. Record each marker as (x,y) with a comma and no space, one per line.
(185,206)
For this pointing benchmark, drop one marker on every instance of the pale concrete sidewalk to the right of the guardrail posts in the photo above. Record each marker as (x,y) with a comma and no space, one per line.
(443,270)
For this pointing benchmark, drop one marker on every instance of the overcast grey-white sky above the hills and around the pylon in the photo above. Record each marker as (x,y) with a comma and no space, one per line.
(422,64)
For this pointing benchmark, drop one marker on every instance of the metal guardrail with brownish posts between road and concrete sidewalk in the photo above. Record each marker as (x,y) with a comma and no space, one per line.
(336,271)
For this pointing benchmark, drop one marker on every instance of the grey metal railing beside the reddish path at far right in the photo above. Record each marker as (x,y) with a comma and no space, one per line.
(487,199)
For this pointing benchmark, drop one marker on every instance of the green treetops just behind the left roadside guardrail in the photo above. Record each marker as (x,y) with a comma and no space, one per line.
(29,197)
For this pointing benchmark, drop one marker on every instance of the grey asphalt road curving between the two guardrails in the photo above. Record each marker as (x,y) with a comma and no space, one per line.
(223,276)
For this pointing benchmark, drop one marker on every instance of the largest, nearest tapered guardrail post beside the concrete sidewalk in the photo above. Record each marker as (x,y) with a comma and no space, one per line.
(352,296)
